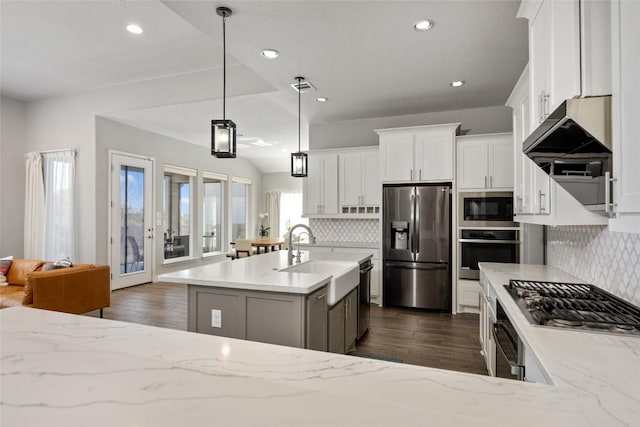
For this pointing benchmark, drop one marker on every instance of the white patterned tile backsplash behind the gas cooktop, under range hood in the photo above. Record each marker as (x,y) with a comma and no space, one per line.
(596,255)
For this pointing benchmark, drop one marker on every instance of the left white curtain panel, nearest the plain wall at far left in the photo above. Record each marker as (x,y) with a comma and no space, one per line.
(33,207)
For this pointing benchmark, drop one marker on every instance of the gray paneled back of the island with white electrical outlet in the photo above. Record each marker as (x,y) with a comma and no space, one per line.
(293,320)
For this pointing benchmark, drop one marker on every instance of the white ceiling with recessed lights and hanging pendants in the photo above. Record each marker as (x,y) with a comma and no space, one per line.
(364,56)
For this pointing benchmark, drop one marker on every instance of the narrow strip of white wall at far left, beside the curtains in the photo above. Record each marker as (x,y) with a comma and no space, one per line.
(12,175)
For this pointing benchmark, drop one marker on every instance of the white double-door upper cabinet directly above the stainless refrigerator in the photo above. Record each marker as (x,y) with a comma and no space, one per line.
(418,154)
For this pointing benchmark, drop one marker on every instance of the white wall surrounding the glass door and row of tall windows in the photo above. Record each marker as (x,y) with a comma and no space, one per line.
(112,135)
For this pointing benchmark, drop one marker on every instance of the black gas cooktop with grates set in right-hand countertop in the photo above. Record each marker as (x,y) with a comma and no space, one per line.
(574,306)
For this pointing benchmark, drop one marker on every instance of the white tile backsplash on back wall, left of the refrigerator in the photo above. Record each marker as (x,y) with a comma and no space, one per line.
(345,230)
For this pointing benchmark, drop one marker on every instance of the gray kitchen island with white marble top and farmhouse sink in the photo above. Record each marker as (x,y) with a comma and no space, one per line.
(262,298)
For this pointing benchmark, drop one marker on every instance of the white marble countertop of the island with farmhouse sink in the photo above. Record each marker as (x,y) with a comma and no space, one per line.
(261,272)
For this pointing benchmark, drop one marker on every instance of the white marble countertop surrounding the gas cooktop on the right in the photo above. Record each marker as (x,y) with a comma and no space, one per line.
(601,371)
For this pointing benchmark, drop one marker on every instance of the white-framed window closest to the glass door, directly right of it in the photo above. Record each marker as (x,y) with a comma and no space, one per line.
(177,197)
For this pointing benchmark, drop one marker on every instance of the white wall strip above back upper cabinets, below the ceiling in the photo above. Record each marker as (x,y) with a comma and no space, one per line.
(358,133)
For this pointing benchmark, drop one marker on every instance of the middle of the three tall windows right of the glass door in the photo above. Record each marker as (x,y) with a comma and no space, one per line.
(213,208)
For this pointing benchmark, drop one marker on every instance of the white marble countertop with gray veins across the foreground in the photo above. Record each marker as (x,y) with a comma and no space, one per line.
(67,370)
